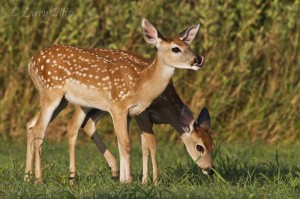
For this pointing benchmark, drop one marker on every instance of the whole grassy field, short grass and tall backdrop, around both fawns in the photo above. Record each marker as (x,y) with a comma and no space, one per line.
(250,84)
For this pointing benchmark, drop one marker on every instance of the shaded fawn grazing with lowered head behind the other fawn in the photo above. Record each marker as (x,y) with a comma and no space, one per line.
(168,108)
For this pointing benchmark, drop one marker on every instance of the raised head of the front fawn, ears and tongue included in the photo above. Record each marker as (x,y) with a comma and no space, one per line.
(174,52)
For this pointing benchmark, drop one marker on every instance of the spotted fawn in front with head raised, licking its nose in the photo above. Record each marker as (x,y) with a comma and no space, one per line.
(65,73)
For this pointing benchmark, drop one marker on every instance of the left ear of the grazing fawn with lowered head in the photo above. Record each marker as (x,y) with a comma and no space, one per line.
(187,119)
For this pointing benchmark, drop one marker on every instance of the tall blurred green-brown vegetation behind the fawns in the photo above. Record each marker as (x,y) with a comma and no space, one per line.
(250,82)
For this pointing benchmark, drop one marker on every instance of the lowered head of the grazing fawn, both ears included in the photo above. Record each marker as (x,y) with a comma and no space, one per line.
(196,138)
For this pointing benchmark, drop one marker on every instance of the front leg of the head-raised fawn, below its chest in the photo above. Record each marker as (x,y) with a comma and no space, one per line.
(121,124)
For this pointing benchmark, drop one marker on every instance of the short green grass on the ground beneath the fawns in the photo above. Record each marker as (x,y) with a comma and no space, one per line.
(249,170)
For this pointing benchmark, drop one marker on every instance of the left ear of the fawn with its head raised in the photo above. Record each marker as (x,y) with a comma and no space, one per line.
(150,33)
